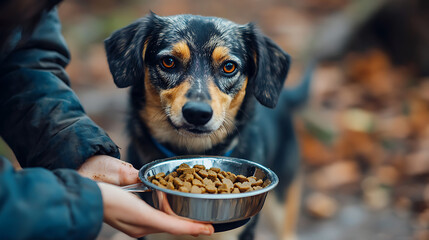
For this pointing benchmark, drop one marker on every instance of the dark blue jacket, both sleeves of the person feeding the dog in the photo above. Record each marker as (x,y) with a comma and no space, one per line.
(43,122)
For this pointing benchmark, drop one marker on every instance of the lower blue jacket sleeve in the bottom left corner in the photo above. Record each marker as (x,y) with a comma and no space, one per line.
(39,204)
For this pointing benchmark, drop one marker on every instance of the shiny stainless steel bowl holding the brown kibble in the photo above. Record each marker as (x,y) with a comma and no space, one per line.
(211,208)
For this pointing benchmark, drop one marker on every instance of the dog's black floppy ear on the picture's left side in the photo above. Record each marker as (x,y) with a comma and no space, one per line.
(124,49)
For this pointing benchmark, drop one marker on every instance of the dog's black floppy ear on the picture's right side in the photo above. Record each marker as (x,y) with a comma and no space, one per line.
(269,67)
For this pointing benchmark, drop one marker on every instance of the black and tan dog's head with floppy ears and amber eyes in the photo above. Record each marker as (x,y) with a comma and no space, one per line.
(195,72)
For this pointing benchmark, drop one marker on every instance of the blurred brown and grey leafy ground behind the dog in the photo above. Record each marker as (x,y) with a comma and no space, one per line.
(364,133)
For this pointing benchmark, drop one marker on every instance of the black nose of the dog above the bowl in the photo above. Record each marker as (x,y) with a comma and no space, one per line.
(197,113)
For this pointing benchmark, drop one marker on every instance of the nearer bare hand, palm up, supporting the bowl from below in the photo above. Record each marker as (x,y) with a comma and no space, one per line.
(129,214)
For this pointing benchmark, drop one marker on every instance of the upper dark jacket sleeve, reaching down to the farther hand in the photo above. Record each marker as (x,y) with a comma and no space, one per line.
(41,118)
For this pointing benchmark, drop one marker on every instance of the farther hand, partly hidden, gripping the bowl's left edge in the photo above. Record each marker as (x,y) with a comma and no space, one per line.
(109,169)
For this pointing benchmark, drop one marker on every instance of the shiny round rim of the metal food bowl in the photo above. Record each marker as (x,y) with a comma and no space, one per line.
(269,172)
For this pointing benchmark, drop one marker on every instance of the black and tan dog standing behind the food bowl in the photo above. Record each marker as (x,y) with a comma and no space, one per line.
(208,86)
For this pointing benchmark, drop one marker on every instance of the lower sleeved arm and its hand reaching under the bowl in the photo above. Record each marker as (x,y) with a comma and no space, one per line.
(39,204)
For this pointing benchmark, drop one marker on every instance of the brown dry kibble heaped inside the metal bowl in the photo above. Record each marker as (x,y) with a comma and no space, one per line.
(198,179)
